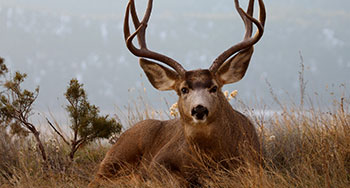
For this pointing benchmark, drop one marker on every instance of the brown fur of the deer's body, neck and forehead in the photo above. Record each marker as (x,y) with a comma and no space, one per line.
(174,144)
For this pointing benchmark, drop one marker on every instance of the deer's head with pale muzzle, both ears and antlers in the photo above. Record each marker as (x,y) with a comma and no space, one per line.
(199,91)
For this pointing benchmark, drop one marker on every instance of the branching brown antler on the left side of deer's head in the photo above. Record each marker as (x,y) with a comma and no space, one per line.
(140,32)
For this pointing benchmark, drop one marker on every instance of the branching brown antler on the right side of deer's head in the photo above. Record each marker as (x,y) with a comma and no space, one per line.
(248,41)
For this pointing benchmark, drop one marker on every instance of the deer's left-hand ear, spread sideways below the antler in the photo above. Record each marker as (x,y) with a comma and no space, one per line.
(160,77)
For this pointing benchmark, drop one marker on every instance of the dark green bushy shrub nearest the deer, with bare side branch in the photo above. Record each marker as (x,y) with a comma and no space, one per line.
(86,123)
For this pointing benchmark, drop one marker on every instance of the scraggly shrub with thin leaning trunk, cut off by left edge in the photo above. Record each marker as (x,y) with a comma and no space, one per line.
(16,106)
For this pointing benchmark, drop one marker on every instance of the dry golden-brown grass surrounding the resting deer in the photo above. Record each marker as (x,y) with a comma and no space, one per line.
(302,148)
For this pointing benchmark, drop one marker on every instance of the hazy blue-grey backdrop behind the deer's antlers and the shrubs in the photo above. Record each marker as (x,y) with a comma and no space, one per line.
(56,40)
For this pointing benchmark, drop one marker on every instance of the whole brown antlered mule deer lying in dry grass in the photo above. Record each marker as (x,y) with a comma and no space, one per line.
(207,121)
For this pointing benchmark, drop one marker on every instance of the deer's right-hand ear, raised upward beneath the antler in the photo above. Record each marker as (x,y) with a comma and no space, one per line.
(235,68)
